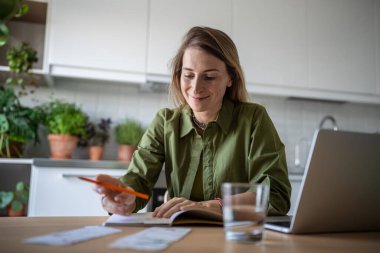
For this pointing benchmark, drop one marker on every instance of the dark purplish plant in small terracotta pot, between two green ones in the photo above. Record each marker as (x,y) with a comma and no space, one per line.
(97,137)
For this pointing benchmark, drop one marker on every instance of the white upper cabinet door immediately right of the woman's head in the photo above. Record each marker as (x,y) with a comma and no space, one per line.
(271,38)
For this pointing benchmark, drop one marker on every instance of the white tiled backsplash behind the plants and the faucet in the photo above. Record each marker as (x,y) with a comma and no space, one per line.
(295,120)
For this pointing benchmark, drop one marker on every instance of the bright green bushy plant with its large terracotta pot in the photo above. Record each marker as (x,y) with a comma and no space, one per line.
(66,123)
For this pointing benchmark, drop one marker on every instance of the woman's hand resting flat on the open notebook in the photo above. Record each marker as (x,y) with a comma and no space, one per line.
(181,204)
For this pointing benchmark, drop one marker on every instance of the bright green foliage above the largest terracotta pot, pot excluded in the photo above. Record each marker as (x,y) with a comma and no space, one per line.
(65,118)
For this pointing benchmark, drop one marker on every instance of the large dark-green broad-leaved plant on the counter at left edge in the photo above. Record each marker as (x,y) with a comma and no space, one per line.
(18,124)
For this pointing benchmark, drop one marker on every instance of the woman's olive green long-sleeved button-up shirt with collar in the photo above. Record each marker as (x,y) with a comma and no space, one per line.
(241,145)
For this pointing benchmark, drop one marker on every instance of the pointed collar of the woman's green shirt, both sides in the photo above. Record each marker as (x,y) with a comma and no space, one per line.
(224,118)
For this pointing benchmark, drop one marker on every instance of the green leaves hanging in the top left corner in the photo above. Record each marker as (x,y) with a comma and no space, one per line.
(8,10)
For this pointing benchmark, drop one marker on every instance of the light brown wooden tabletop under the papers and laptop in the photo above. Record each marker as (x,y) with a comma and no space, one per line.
(201,239)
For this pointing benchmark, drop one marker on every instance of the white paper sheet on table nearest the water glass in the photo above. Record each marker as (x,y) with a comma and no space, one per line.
(151,239)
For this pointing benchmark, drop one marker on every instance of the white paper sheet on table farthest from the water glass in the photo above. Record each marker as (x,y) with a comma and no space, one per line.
(70,237)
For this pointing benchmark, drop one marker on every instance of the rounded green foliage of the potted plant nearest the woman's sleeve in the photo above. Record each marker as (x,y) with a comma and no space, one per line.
(129,132)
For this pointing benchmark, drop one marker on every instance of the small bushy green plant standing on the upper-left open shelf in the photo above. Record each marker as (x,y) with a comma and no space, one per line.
(20,61)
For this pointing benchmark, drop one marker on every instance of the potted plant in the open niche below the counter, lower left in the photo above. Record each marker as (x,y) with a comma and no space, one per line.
(15,202)
